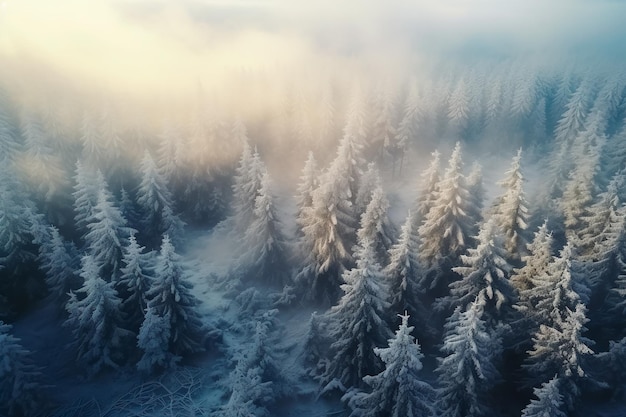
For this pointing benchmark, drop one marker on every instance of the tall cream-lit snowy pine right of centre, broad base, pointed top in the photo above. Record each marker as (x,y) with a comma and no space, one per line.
(445,231)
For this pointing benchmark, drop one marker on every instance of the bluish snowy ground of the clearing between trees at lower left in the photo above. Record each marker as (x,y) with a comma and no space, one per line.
(201,384)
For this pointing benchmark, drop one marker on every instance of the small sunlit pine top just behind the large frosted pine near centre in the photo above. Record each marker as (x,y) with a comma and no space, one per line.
(376,227)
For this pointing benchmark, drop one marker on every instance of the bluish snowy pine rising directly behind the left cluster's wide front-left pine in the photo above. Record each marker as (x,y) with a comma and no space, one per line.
(107,234)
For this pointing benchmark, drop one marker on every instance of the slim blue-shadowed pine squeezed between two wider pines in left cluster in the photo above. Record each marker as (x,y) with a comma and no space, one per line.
(134,282)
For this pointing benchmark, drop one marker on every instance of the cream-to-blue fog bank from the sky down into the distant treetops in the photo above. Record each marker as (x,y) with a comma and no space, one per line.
(158,65)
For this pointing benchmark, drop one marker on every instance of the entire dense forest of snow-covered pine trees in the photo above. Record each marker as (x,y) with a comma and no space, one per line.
(525,292)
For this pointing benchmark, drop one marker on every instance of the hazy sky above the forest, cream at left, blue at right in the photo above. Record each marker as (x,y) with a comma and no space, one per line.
(142,46)
